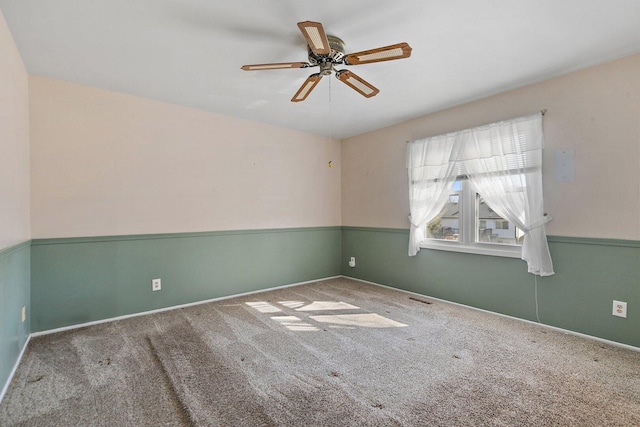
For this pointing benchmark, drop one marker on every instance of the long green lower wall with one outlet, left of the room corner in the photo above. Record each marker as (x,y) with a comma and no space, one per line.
(78,280)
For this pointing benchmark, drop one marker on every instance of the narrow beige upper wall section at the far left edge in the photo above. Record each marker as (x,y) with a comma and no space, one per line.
(14,143)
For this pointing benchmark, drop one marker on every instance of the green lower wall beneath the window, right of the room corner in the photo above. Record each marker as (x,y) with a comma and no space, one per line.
(590,274)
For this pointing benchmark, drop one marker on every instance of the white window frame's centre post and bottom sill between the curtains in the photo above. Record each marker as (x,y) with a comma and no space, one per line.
(467,242)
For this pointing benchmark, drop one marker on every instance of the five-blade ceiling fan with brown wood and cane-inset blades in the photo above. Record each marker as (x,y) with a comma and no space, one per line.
(328,51)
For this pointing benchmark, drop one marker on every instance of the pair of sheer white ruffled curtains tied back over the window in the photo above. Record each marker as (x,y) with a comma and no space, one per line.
(503,162)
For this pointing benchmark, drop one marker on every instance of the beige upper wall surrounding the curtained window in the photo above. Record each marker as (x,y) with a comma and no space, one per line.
(595,111)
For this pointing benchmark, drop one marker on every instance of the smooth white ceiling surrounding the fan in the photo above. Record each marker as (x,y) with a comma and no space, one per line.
(189,52)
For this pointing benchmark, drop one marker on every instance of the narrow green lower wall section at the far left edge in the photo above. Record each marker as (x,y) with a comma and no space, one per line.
(14,294)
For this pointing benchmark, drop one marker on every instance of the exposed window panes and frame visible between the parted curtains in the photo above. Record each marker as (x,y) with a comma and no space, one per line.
(467,223)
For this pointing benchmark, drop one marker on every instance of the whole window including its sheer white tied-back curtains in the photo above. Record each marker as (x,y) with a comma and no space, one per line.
(479,190)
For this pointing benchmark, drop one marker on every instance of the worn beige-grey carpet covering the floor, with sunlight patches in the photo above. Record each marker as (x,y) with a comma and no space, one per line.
(332,353)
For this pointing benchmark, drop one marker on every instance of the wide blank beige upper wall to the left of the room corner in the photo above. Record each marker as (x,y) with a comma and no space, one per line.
(105,163)
